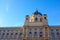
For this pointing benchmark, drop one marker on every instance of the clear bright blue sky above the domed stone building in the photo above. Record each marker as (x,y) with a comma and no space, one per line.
(13,12)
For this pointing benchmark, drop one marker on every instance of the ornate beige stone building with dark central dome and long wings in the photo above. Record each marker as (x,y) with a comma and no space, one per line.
(35,28)
